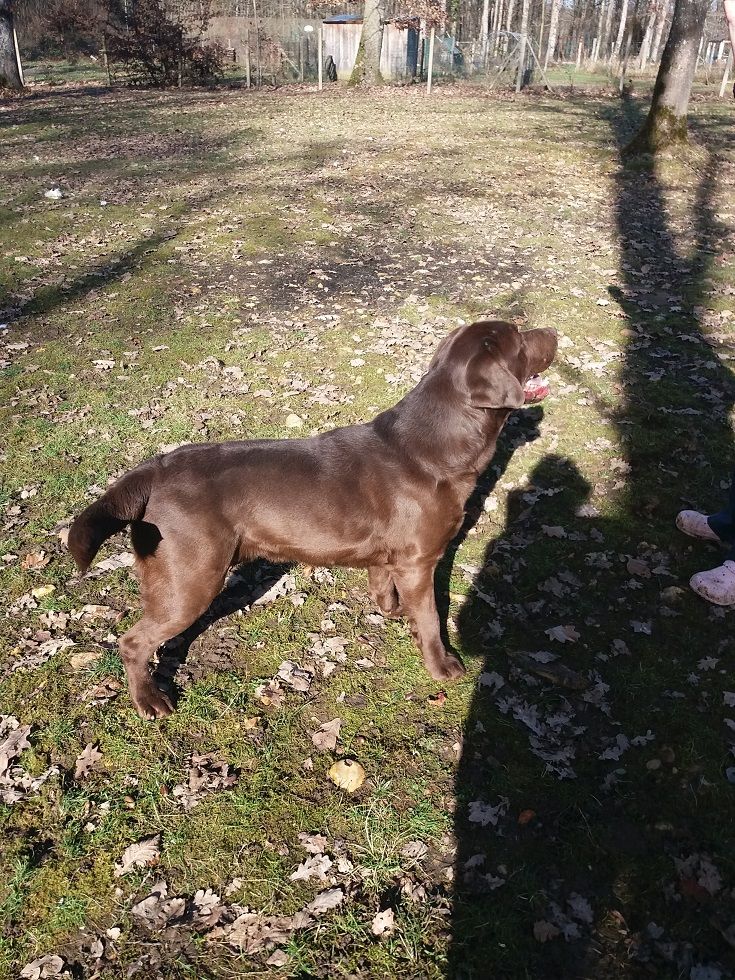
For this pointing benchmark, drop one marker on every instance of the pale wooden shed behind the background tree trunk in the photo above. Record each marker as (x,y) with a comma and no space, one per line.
(399,55)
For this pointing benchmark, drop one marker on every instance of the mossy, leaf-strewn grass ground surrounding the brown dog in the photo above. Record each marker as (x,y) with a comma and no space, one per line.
(252,247)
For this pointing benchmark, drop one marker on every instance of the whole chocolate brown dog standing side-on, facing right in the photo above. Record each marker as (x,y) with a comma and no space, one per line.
(387,496)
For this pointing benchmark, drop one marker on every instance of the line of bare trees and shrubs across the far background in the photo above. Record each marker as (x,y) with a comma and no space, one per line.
(76,28)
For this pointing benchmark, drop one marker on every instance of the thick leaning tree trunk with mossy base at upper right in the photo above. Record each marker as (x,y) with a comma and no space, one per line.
(666,123)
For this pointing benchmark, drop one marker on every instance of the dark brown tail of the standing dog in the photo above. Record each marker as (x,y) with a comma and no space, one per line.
(124,502)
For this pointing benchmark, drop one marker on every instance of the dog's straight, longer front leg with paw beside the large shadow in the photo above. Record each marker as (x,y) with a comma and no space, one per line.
(415,586)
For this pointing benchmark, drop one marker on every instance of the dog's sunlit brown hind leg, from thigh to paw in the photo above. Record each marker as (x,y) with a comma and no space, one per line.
(176,588)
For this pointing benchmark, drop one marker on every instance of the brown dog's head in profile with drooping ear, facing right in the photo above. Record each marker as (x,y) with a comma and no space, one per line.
(492,360)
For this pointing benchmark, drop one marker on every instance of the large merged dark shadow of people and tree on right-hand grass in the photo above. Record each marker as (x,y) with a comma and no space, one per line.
(590,792)
